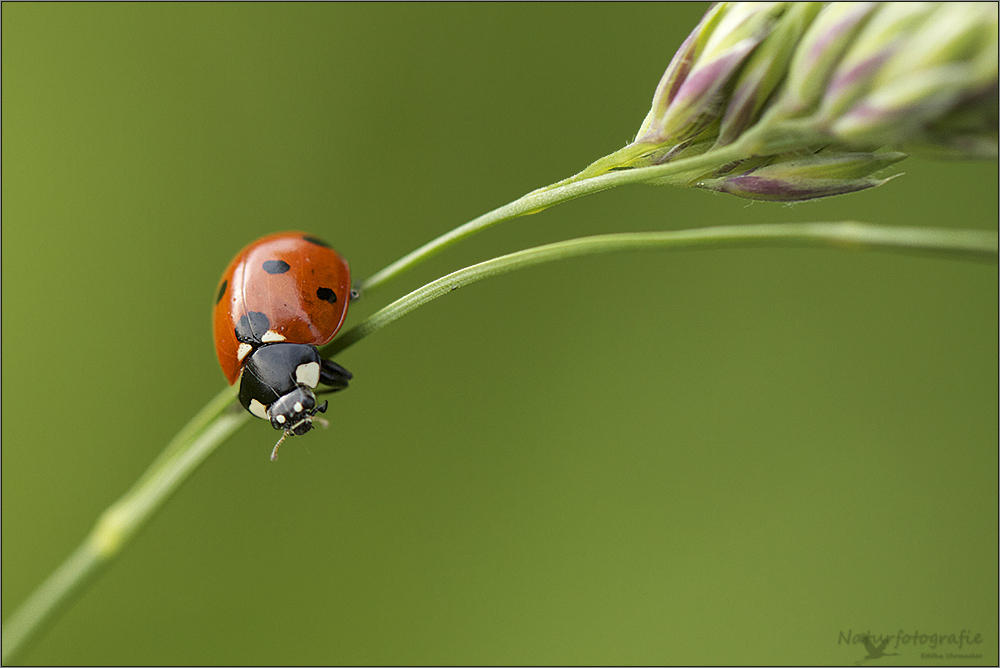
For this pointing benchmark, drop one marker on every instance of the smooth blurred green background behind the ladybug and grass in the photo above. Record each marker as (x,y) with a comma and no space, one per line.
(711,457)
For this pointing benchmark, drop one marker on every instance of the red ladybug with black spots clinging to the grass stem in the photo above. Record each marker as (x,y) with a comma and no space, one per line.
(280,298)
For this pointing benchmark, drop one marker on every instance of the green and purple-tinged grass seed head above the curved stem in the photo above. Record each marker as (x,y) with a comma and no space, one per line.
(779,86)
